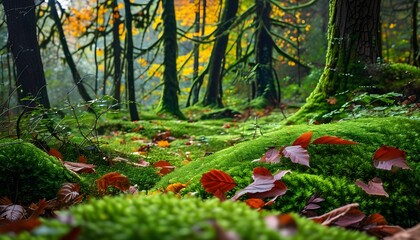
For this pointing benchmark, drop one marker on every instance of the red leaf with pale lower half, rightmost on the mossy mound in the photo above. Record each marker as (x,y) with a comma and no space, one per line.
(386,157)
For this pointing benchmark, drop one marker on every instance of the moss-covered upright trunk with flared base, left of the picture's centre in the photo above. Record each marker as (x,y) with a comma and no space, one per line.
(169,98)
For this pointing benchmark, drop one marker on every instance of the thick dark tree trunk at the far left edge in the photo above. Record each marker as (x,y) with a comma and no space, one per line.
(23,43)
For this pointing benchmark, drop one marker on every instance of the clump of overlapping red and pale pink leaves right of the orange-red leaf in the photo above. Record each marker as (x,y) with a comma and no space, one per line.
(264,184)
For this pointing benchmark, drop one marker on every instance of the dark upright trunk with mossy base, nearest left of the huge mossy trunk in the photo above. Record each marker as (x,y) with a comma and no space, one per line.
(266,90)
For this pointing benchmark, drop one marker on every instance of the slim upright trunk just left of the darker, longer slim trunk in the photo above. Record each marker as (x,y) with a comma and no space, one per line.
(116,46)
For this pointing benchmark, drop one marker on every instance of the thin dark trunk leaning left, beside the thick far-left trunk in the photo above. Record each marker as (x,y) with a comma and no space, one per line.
(67,54)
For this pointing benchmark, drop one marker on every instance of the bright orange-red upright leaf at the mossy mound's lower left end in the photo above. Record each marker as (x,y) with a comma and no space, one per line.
(217,182)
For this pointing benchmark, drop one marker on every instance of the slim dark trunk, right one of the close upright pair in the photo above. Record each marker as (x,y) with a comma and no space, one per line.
(132,107)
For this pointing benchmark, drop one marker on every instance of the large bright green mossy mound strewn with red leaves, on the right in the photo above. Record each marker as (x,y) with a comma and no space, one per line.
(334,168)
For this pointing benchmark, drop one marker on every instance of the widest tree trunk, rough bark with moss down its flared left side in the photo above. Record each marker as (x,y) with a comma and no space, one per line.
(353,45)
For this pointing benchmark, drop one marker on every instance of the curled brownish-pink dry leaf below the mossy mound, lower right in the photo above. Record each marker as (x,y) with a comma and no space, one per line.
(343,216)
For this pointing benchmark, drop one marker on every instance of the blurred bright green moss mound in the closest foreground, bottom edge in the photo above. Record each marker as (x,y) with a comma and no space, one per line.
(168,217)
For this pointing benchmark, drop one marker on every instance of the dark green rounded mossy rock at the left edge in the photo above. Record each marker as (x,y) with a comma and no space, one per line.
(28,174)
